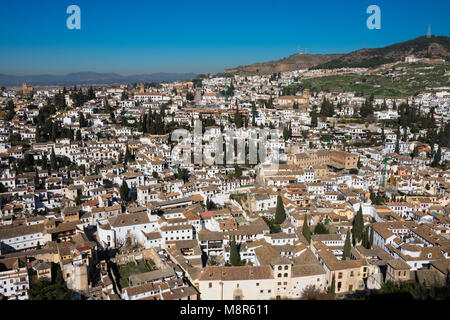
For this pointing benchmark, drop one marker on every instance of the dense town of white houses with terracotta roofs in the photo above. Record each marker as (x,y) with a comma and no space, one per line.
(105,176)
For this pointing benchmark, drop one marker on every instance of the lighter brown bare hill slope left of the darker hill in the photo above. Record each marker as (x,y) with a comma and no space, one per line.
(291,63)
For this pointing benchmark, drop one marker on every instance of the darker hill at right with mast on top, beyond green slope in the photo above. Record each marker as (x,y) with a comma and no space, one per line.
(422,47)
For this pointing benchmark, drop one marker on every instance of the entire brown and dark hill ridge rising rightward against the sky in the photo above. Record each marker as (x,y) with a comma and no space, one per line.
(422,47)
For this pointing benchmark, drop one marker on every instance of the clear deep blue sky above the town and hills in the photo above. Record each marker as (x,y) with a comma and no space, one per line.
(132,37)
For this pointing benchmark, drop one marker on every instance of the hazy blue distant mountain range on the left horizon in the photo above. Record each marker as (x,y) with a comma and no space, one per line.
(90,78)
